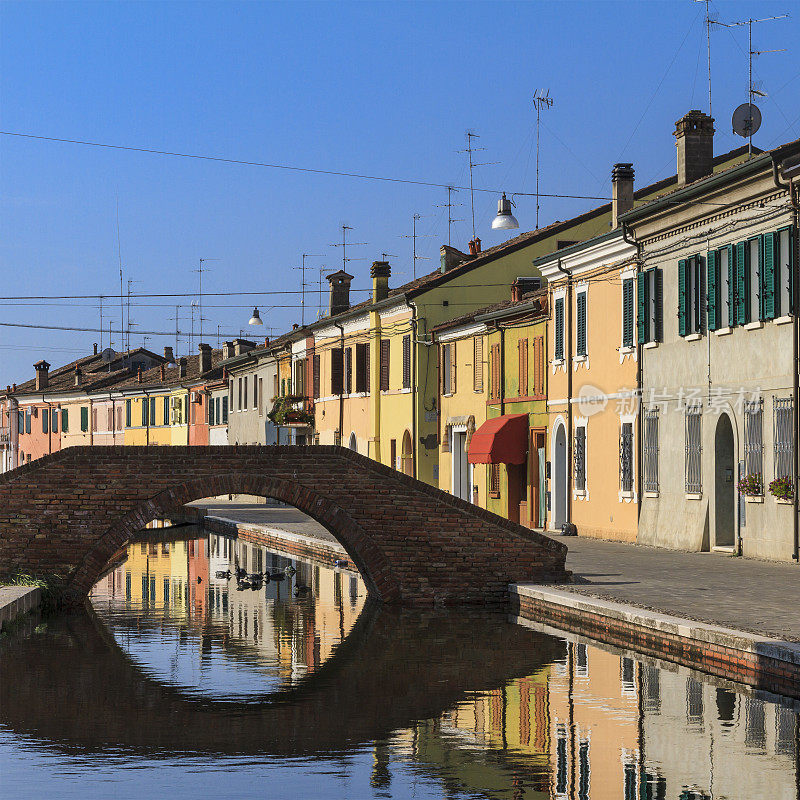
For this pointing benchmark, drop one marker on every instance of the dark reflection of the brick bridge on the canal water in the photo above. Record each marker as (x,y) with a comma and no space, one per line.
(395,668)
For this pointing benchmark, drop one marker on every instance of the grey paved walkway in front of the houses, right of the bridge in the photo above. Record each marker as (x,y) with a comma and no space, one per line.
(756,596)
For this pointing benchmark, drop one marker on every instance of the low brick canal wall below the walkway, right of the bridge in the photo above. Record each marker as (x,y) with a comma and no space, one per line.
(768,670)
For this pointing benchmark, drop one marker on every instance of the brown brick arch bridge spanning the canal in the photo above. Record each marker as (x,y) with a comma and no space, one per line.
(65,515)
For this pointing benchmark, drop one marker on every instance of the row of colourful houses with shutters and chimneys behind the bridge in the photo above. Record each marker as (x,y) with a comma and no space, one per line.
(630,373)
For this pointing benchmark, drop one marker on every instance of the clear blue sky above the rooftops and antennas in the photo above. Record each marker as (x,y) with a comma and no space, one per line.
(380,88)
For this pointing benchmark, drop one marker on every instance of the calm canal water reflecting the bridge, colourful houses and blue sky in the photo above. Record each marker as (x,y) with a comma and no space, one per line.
(178,681)
